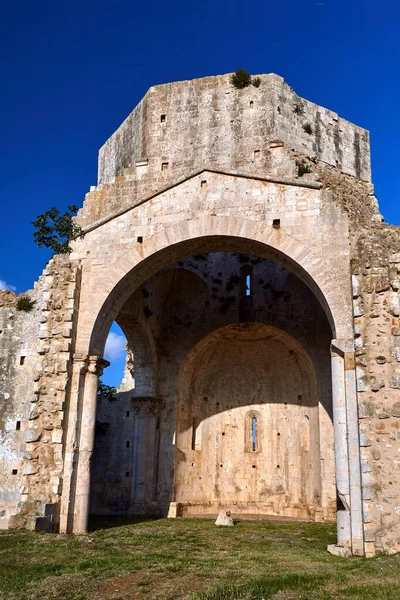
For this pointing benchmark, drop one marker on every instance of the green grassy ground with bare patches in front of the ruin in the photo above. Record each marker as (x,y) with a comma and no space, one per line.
(192,560)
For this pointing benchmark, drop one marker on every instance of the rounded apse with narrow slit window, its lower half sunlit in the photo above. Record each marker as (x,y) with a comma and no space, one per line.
(251,433)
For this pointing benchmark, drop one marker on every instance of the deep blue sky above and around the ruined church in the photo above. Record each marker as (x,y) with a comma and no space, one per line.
(72,71)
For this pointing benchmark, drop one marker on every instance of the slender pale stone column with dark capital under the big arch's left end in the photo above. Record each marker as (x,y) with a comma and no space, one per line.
(86,441)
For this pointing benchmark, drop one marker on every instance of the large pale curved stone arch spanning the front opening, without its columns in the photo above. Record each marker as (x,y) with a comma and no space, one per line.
(115,285)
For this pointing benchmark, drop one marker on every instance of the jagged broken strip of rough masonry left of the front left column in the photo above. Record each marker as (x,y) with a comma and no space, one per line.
(50,351)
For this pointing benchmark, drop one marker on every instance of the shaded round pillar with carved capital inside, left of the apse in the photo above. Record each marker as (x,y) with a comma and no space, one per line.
(145,453)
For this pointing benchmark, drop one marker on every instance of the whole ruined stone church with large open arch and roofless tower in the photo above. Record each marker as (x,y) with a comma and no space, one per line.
(235,238)
